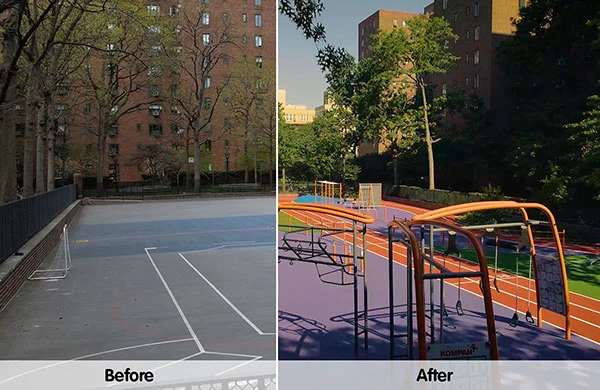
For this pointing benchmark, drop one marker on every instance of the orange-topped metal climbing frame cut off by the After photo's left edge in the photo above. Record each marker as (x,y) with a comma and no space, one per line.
(318,253)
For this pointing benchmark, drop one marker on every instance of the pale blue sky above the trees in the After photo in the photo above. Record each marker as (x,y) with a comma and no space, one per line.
(299,74)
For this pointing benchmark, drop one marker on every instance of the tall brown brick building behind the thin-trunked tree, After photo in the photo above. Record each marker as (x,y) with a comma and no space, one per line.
(481,26)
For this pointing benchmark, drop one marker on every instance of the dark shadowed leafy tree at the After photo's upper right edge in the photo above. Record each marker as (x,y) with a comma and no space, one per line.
(552,66)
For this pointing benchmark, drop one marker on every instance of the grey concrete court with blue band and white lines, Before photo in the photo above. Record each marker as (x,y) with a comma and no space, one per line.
(159,280)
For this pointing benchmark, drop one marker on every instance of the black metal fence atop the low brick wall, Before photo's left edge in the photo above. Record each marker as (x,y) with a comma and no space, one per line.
(22,219)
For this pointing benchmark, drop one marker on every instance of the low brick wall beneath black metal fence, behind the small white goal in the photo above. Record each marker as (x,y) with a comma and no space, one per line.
(12,282)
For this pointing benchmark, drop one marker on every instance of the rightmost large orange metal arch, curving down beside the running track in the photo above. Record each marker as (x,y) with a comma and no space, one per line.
(495,205)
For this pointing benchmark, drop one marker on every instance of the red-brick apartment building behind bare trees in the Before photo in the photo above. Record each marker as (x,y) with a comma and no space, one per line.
(251,25)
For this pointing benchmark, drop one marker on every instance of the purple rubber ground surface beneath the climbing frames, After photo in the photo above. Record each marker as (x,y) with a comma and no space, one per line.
(316,319)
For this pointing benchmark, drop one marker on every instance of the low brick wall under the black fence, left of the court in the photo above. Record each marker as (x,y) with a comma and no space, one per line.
(15,270)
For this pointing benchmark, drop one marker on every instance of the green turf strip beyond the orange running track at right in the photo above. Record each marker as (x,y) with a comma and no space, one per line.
(583,279)
